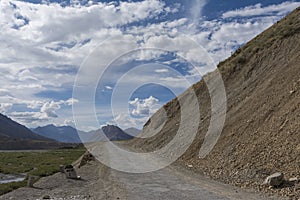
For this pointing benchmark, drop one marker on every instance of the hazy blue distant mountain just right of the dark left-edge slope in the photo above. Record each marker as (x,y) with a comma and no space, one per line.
(65,134)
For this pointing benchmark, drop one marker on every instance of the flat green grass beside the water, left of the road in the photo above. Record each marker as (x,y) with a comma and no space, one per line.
(34,163)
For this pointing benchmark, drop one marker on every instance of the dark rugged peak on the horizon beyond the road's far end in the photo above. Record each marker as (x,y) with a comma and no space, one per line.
(114,133)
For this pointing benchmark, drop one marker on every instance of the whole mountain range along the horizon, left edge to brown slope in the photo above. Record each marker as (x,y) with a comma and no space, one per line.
(14,136)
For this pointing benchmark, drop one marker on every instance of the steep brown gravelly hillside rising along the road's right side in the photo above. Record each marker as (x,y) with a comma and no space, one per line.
(262,131)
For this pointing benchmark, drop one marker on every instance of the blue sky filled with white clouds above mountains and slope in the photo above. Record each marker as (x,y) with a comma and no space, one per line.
(132,57)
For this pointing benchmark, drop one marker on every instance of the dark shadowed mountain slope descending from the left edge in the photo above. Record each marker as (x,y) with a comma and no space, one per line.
(14,136)
